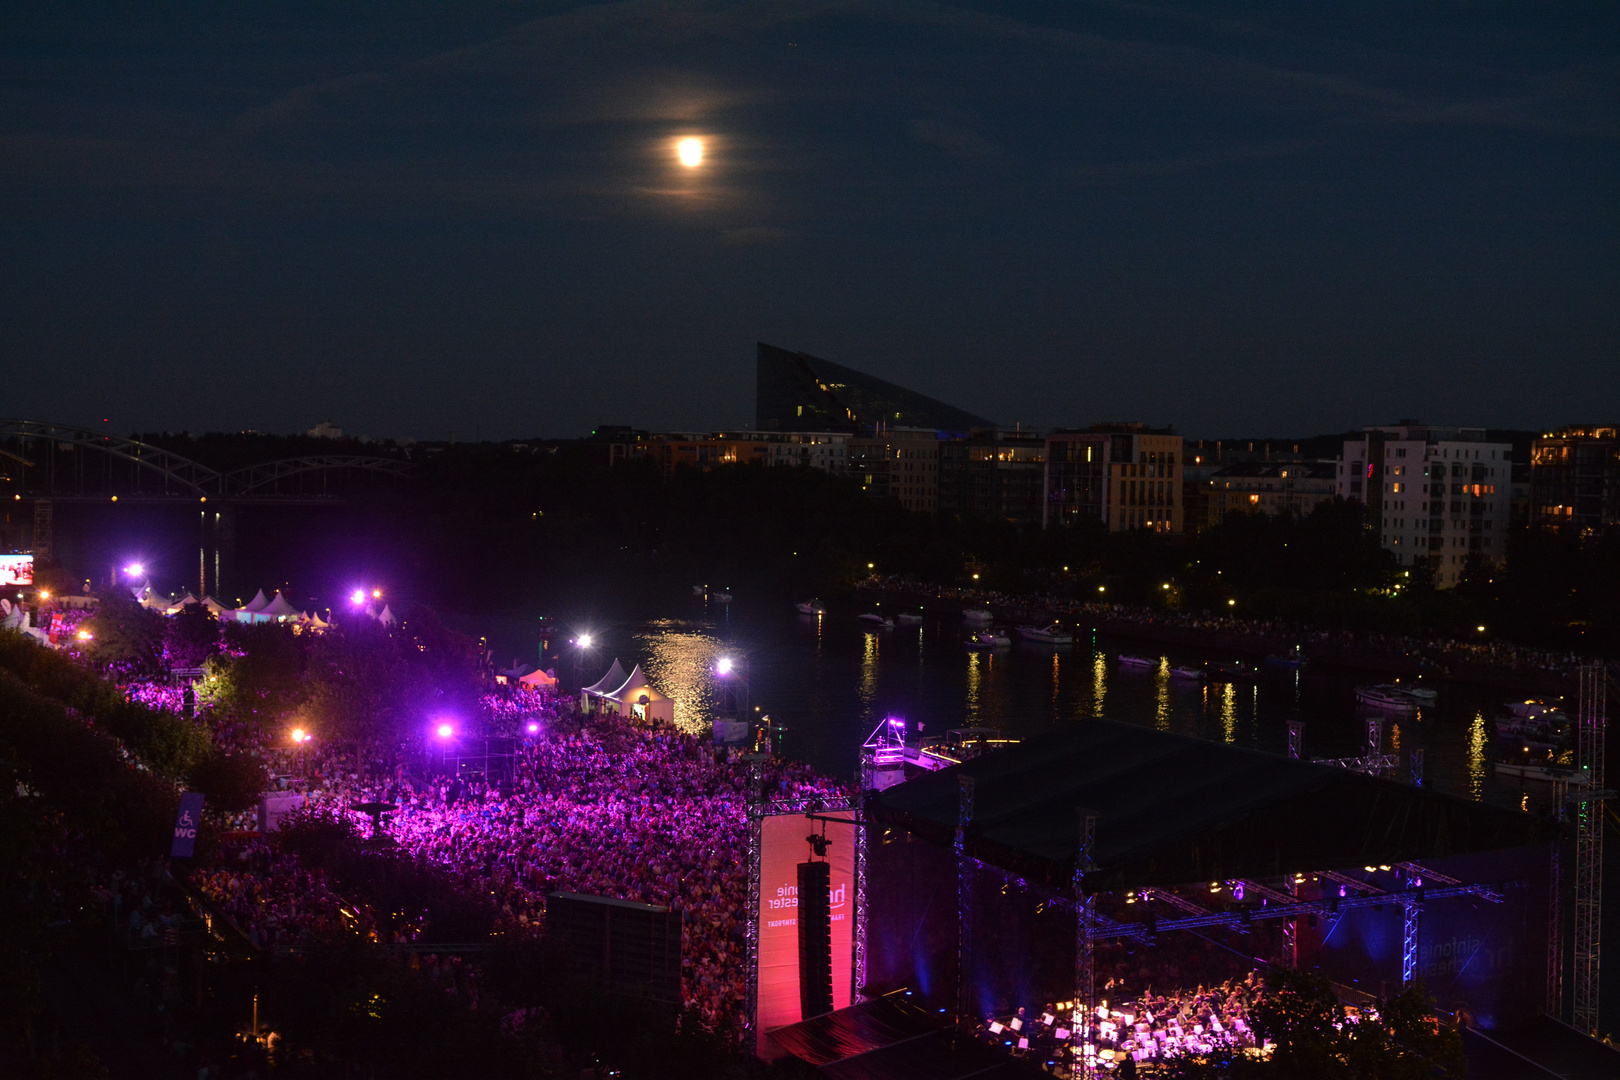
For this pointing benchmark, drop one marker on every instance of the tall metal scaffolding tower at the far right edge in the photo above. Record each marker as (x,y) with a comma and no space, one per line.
(1590,846)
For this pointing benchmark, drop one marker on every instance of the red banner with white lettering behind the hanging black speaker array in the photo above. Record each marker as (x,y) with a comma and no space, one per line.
(782,849)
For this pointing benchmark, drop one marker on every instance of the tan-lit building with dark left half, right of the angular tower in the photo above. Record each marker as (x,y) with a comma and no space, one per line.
(1122,475)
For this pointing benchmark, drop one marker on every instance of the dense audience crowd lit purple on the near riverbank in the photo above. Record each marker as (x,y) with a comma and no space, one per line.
(594,806)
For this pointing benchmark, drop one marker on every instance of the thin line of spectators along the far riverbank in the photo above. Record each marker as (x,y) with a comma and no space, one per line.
(1433,650)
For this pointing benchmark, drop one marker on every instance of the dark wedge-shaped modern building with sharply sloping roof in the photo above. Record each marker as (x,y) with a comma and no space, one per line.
(804,393)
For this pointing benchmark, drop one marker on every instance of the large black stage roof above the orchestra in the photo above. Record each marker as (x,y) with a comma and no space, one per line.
(1175,810)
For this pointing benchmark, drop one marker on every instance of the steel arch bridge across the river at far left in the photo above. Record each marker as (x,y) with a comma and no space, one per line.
(46,461)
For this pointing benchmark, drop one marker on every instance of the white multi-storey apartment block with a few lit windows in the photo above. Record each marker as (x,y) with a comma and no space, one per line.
(1436,496)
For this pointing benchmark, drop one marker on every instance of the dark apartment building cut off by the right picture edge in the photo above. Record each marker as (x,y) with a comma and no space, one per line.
(1575,478)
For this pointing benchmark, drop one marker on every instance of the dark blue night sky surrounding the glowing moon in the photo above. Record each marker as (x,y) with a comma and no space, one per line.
(467,218)
